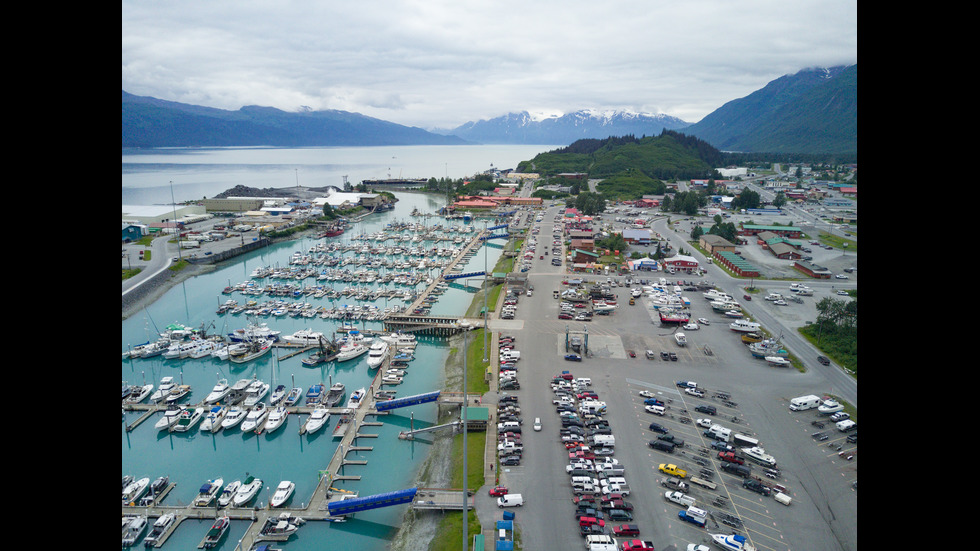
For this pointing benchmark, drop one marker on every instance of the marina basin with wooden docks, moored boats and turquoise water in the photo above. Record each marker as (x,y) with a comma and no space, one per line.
(429,307)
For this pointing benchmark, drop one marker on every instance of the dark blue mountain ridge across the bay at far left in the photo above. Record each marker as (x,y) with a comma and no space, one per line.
(151,122)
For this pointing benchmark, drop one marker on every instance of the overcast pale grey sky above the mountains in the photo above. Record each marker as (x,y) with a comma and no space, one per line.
(439,64)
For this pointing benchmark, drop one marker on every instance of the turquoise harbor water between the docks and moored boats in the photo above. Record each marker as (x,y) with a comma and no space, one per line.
(190,459)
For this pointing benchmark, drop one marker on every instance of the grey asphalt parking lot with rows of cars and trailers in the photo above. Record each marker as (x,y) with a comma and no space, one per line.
(750,397)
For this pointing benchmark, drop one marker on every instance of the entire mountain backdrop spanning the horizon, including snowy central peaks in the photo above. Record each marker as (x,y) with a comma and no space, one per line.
(813,111)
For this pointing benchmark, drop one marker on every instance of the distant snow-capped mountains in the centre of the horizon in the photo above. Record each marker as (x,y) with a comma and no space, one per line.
(557,128)
